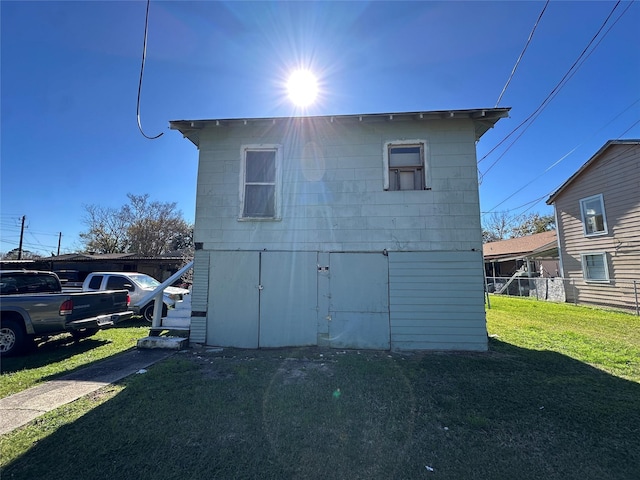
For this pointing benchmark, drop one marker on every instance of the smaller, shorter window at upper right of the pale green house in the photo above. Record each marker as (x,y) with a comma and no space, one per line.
(405,165)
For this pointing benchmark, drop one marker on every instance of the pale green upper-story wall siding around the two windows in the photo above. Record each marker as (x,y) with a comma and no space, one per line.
(332,190)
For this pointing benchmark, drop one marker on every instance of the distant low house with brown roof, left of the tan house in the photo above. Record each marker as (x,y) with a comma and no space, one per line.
(534,254)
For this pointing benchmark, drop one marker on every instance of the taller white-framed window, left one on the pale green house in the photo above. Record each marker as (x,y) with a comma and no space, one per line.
(259,182)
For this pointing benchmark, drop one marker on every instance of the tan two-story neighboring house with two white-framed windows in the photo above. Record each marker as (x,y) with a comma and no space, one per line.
(598,222)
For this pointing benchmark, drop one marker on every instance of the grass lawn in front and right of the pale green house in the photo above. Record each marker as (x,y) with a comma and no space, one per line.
(556,397)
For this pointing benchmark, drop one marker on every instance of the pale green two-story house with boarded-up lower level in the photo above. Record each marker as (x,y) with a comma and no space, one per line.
(347,231)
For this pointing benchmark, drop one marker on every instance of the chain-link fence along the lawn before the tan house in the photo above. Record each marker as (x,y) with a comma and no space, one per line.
(616,294)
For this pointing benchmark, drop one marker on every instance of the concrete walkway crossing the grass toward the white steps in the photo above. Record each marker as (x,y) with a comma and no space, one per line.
(19,409)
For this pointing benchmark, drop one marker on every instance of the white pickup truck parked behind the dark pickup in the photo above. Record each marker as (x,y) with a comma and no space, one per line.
(139,285)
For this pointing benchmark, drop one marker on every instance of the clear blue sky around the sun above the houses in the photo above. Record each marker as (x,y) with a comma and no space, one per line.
(70,71)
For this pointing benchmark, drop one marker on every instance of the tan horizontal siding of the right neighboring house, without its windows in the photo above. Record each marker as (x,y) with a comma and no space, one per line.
(615,175)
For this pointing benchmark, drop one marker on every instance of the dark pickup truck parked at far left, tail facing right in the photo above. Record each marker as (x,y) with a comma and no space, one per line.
(32,305)
